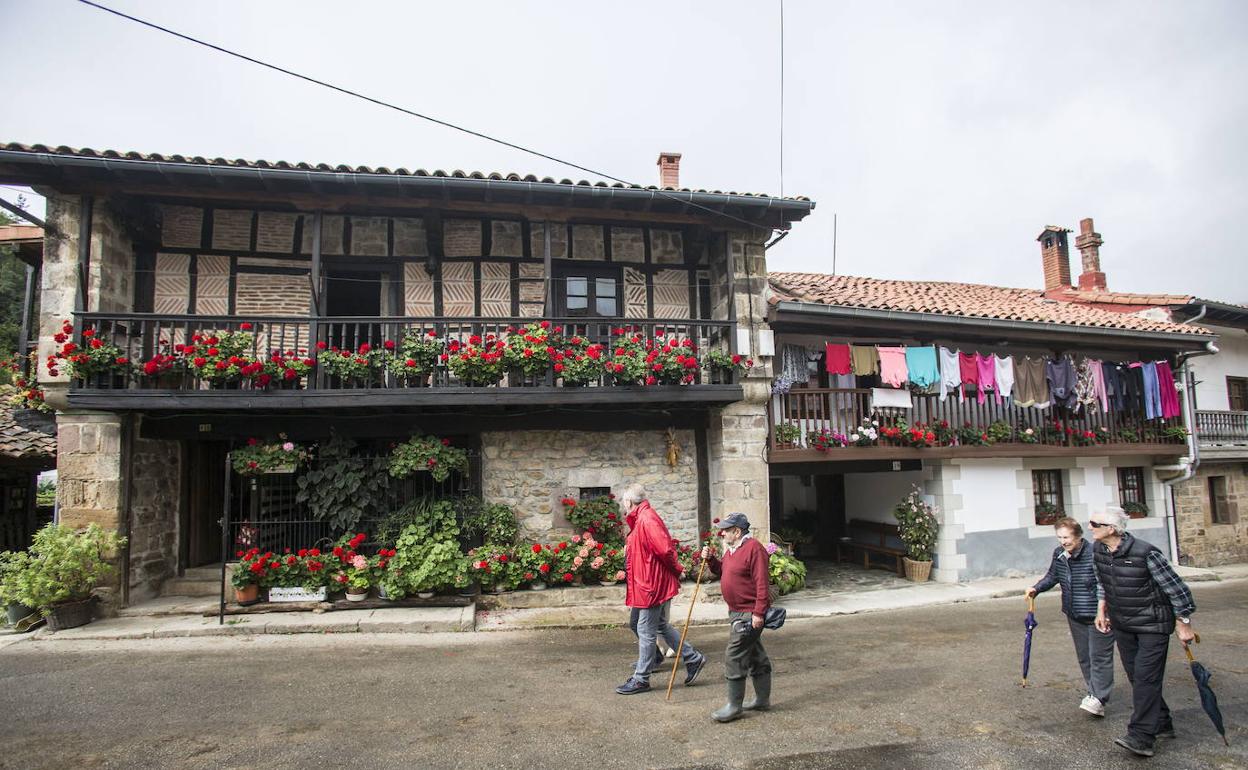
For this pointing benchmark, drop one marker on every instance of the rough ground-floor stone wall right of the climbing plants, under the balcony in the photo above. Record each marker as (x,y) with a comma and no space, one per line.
(532,471)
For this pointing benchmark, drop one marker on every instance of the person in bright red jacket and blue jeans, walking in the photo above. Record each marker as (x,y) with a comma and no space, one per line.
(653,578)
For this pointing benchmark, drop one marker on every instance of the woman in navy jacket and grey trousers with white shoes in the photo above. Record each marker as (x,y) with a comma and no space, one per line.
(1074,571)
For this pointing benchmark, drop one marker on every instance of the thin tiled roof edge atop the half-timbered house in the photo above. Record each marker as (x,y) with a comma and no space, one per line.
(344,169)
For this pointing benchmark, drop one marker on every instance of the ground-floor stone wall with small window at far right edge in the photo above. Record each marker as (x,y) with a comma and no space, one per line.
(1201,542)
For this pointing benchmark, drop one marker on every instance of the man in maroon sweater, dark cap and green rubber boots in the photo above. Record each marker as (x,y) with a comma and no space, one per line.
(744,577)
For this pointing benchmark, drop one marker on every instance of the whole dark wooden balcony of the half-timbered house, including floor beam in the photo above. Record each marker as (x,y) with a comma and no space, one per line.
(144,338)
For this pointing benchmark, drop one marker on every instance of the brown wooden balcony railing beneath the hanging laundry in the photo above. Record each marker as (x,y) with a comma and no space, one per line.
(808,412)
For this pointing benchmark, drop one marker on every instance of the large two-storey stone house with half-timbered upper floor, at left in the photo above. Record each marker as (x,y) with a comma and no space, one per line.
(155,249)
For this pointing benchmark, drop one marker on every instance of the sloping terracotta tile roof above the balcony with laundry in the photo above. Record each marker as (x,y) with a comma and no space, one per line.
(965,300)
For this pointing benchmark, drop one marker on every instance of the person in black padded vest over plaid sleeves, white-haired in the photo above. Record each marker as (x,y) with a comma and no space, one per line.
(1141,598)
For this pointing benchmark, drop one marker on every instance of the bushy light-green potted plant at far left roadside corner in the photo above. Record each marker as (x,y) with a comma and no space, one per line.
(63,571)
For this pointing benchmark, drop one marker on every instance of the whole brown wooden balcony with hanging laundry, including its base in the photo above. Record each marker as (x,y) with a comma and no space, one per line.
(959,429)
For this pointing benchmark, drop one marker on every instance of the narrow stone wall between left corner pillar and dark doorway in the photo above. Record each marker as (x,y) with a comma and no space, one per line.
(155,491)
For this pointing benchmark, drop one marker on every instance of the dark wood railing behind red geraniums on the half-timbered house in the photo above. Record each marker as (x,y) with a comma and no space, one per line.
(143,336)
